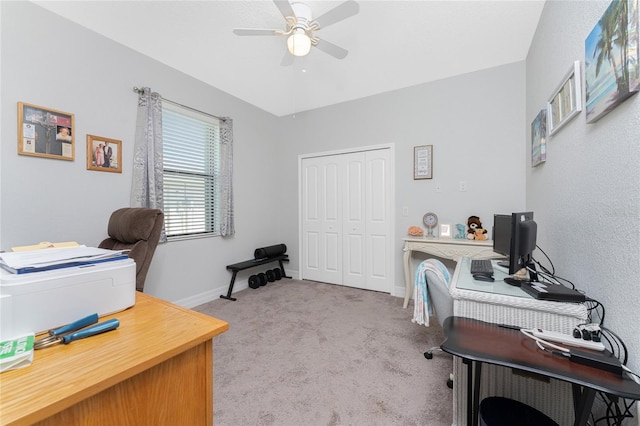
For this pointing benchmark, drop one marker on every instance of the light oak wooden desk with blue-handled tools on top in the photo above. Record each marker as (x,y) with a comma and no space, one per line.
(156,368)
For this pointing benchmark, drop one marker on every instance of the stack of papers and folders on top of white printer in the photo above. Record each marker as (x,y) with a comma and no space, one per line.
(55,258)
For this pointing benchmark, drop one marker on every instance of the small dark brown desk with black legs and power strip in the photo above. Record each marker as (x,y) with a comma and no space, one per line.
(482,342)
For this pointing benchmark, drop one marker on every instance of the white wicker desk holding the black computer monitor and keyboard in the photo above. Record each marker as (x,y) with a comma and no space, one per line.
(501,303)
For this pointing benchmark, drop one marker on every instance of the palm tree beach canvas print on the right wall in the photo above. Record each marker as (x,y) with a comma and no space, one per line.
(612,52)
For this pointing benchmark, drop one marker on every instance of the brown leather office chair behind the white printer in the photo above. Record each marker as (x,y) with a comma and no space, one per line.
(138,230)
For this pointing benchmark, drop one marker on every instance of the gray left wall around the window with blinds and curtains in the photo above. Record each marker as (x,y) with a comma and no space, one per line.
(61,65)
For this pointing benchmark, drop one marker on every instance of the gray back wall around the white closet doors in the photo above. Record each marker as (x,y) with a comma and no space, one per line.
(474,122)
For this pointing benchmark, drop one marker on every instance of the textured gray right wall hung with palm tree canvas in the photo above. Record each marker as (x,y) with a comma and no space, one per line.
(586,197)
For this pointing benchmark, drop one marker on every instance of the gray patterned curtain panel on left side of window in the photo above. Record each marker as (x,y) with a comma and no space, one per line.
(147,184)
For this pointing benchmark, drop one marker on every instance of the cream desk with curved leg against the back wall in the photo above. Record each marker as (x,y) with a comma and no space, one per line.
(445,248)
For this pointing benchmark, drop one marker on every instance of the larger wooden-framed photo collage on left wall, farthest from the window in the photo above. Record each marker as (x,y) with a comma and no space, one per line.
(45,132)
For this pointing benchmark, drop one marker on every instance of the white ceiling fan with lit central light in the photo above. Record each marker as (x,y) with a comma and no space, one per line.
(301,26)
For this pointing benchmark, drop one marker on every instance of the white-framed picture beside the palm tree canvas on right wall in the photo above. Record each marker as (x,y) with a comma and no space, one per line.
(566,101)
